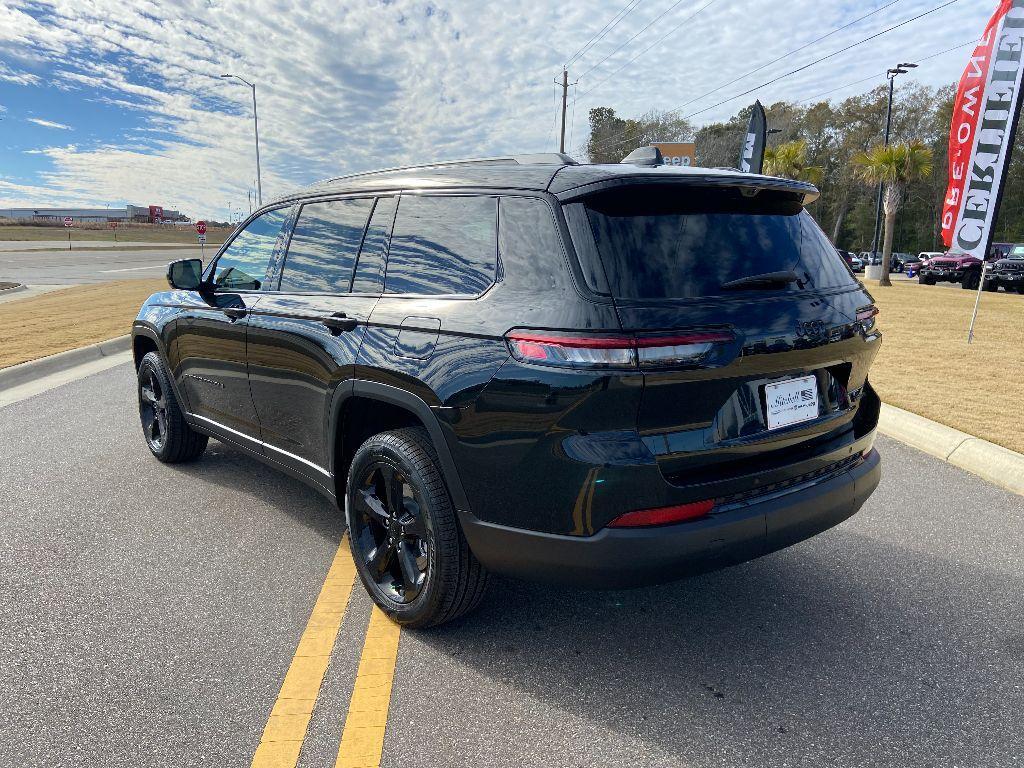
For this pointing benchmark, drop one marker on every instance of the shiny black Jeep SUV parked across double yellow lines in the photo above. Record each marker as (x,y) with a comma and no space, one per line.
(604,375)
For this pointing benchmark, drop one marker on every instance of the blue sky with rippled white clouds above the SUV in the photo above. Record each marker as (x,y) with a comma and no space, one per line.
(106,103)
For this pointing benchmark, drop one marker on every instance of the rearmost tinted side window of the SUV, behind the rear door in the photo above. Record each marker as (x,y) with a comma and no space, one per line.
(444,246)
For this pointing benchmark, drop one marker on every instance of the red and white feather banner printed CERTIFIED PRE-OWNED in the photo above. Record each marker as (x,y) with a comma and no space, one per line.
(986,113)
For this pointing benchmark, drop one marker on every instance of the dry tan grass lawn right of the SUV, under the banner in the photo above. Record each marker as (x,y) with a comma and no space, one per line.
(926,366)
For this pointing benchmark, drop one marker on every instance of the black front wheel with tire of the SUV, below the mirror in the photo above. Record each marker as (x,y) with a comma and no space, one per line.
(166,432)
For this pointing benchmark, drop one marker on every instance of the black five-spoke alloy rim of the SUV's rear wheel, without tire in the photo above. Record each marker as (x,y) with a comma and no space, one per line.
(390,533)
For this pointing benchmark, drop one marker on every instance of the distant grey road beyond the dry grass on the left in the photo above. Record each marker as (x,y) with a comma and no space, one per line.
(67,268)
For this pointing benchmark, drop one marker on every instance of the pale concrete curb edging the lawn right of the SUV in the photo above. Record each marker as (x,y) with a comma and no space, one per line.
(991,462)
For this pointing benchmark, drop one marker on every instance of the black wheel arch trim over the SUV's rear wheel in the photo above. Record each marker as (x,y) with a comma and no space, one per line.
(368,408)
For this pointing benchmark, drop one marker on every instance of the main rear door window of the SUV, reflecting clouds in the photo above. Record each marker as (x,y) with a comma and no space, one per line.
(324,246)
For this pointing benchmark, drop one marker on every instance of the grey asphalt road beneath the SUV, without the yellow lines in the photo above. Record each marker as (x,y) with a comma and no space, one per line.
(149,614)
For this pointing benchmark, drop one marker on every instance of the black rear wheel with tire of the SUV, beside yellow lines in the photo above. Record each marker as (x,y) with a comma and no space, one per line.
(408,546)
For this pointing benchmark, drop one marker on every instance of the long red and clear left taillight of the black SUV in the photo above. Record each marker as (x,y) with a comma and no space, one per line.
(615,351)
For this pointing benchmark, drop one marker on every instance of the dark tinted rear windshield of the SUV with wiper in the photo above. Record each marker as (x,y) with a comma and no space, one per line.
(666,243)
